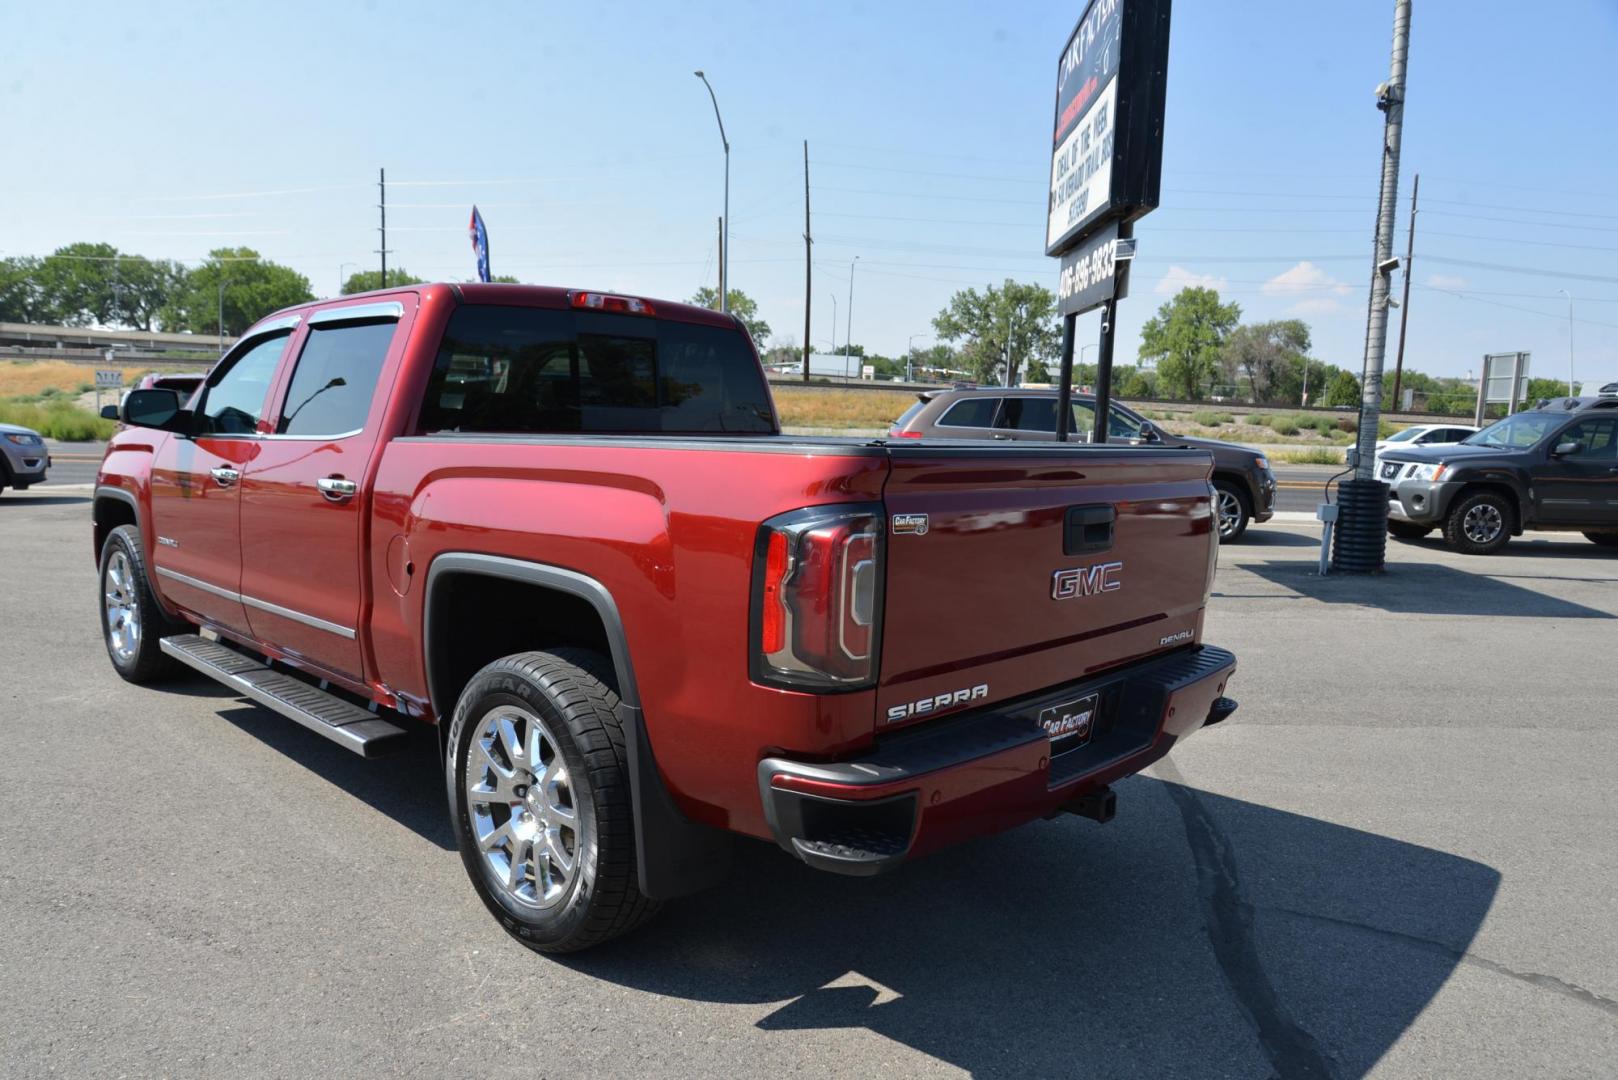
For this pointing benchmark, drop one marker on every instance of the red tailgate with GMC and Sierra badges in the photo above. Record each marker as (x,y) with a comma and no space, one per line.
(1019,584)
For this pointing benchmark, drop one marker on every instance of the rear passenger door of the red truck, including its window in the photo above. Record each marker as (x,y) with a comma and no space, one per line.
(303,498)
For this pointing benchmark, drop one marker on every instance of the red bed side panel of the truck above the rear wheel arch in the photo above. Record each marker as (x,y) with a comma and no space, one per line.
(671,535)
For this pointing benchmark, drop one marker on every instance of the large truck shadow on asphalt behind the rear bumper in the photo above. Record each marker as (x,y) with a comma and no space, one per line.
(1192,937)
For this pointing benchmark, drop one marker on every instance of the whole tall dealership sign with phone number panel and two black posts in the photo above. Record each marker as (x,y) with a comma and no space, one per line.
(1106,171)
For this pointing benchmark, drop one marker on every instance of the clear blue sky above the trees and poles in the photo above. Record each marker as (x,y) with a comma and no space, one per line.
(593,153)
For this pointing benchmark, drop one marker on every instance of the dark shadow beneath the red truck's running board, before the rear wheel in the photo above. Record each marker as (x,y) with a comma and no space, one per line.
(405,786)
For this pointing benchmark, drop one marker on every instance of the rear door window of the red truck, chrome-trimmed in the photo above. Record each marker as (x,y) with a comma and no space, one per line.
(336,380)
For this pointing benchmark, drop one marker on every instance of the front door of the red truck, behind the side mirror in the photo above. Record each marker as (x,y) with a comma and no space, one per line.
(197,545)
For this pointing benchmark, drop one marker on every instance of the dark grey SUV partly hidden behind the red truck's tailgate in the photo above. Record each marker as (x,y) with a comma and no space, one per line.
(1242,477)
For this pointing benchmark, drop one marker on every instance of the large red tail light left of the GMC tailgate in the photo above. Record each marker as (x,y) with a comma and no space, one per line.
(818,598)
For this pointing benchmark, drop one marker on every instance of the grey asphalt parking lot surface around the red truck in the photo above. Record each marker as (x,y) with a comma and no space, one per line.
(1399,859)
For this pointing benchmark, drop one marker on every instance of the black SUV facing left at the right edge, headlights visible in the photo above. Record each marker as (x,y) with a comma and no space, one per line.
(1551,469)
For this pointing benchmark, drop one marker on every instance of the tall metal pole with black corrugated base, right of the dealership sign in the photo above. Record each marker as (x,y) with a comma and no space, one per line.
(1363,506)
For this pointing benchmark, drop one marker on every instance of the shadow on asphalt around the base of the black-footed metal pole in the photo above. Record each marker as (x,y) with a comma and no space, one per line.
(1423,589)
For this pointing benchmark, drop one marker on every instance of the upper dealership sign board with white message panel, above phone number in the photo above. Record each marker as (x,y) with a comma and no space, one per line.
(1108,140)
